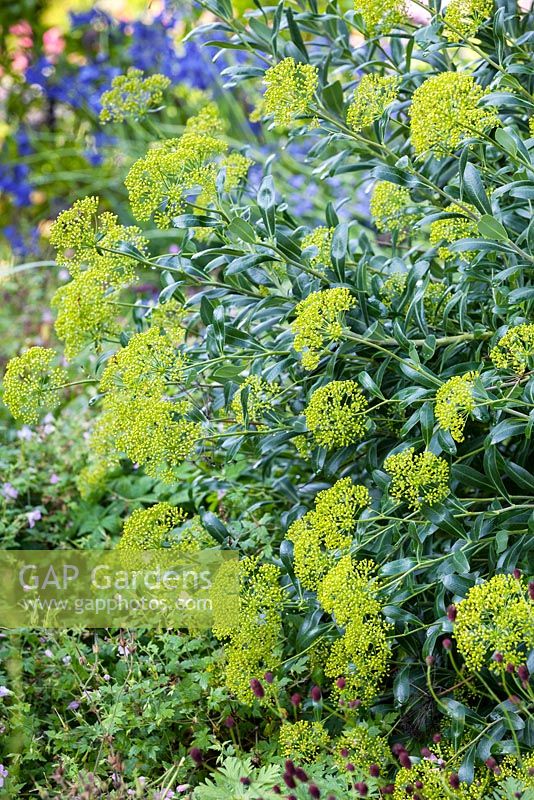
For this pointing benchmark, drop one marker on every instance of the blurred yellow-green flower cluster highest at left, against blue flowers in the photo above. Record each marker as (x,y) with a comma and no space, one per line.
(132,96)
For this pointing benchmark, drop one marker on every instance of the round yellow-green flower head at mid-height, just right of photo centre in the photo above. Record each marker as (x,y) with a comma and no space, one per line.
(336,414)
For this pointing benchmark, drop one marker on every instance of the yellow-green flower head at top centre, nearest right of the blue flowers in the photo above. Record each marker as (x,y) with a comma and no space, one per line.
(290,89)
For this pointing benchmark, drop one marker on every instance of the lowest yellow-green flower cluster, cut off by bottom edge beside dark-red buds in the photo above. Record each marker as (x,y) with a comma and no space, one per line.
(433,783)
